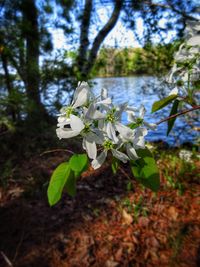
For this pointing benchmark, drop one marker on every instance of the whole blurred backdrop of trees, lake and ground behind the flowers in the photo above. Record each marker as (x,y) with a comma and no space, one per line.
(126,46)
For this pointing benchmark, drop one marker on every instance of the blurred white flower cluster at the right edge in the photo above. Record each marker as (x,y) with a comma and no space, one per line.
(186,70)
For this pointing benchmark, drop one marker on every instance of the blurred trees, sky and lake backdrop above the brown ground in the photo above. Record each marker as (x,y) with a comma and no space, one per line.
(127,46)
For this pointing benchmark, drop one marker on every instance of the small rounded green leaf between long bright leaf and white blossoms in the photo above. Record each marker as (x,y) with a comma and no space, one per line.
(78,163)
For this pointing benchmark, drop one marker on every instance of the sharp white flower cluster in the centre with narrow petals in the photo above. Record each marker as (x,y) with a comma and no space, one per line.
(98,122)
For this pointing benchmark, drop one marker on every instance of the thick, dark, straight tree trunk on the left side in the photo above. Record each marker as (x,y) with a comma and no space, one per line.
(36,110)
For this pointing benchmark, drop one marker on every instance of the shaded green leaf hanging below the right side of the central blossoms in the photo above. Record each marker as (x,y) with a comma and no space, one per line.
(145,170)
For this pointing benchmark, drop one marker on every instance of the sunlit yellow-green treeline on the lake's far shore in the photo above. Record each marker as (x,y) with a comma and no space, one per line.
(151,60)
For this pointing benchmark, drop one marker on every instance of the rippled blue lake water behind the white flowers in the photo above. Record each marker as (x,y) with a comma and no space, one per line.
(139,90)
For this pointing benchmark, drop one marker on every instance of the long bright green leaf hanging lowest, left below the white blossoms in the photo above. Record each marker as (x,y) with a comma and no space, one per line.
(57,183)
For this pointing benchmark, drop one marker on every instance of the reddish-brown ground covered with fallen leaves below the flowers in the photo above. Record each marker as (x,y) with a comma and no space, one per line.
(104,225)
